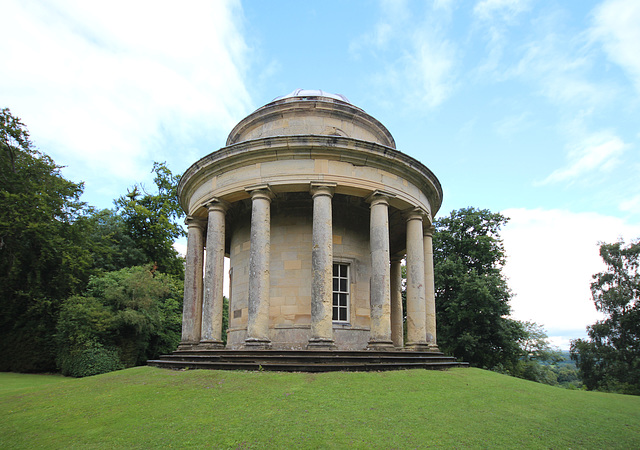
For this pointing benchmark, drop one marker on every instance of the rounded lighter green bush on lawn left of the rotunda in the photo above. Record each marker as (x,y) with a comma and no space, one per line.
(135,312)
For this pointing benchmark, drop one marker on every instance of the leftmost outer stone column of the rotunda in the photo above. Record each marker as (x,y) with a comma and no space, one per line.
(192,305)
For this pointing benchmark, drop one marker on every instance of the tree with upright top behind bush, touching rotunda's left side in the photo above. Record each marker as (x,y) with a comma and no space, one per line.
(152,220)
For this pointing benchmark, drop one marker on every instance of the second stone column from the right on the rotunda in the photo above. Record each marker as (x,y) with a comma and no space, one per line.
(416,308)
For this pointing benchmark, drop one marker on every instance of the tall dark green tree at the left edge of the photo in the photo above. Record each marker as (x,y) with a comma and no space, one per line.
(43,256)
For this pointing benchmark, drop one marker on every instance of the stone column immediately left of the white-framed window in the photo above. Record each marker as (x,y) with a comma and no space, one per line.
(322,267)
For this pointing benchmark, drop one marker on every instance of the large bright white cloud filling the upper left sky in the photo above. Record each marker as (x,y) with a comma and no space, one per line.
(104,87)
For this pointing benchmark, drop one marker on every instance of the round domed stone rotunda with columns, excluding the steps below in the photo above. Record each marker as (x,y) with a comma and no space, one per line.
(315,209)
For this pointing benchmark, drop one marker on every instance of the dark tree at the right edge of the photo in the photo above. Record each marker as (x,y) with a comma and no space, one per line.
(610,358)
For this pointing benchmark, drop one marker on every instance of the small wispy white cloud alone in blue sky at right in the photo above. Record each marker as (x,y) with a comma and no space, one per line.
(597,153)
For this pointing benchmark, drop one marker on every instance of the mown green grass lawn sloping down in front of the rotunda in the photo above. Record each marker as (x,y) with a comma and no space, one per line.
(148,407)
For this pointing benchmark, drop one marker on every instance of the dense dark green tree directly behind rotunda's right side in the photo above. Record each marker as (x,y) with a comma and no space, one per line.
(472,296)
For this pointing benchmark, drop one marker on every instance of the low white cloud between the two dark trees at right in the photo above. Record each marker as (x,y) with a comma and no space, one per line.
(552,255)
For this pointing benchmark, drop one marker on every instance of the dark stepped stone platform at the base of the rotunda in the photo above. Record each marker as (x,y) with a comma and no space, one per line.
(305,360)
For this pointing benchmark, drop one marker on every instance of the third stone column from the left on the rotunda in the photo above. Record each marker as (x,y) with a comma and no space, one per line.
(259,256)
